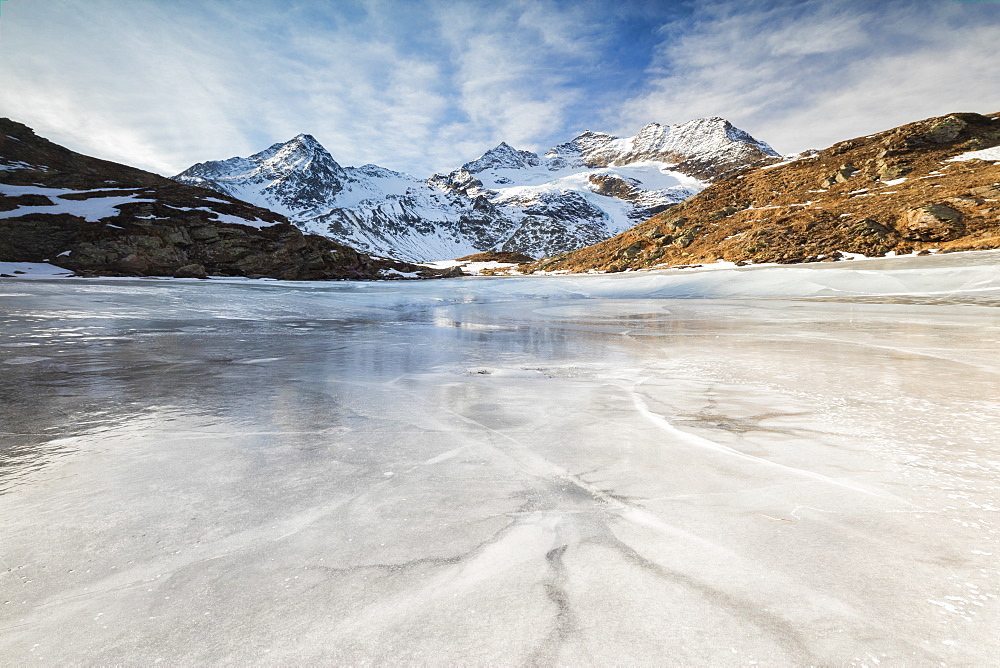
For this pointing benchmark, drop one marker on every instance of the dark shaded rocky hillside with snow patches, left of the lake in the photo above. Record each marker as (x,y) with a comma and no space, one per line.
(101,218)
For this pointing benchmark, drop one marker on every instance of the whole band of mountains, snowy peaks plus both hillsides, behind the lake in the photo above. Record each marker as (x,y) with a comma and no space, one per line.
(700,192)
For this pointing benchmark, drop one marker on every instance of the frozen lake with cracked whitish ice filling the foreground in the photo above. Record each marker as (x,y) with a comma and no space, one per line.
(505,471)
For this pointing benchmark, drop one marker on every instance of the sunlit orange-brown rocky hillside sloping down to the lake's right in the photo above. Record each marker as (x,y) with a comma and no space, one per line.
(933,185)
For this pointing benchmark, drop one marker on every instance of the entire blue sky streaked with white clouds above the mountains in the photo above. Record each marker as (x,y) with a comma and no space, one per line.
(423,86)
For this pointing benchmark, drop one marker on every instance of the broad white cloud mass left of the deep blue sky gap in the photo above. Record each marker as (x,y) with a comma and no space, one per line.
(163,85)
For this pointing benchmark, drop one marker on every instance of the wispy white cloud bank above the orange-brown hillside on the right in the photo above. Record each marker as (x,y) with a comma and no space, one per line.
(808,74)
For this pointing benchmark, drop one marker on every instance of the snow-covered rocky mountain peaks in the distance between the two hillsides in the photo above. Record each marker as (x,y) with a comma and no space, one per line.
(576,194)
